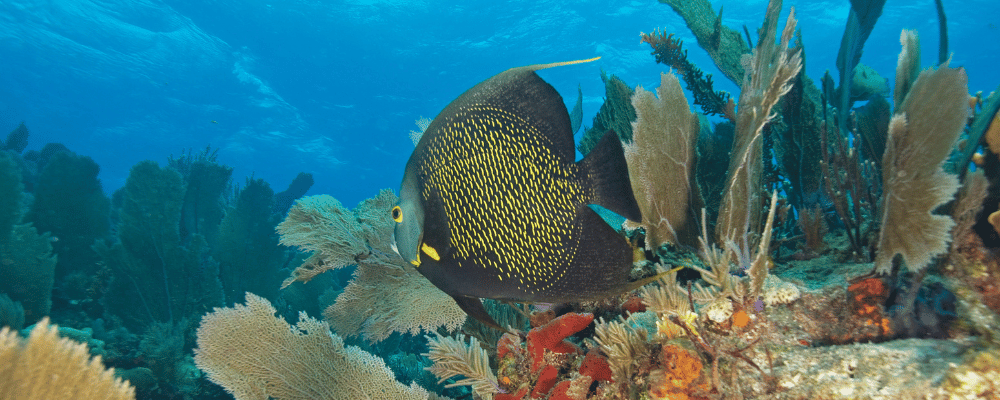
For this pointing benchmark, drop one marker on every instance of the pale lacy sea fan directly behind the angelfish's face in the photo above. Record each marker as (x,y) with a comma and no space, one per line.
(385,295)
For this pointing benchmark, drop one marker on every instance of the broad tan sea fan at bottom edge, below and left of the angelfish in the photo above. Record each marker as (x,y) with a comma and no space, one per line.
(255,355)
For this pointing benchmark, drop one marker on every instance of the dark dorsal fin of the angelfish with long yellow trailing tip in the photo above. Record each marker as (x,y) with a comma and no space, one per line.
(520,92)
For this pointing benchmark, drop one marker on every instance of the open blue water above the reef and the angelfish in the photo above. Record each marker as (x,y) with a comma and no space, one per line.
(334,87)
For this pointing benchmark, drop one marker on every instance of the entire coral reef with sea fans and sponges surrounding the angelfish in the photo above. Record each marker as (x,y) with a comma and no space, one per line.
(869,272)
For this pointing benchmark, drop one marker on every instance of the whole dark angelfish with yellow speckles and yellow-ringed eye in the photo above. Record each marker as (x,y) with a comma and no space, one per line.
(493,204)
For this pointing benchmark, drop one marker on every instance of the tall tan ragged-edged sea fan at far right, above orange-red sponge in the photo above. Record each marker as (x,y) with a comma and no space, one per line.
(921,134)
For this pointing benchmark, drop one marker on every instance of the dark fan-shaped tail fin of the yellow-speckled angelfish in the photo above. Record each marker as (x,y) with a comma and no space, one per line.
(606,173)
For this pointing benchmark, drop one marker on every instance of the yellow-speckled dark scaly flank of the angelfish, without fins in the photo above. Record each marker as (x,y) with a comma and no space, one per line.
(509,199)
